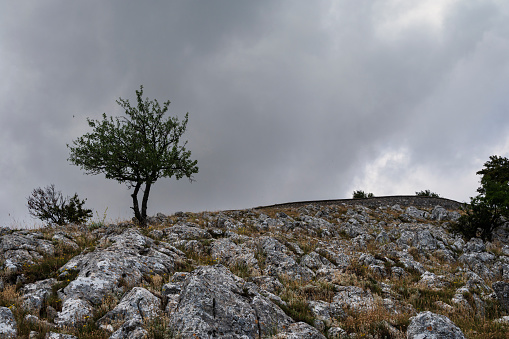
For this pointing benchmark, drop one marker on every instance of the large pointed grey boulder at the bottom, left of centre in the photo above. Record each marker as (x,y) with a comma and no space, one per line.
(216,303)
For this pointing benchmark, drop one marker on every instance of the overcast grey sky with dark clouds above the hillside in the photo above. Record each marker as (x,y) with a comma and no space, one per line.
(287,100)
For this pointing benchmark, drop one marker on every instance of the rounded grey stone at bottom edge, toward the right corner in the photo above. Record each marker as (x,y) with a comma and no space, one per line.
(427,325)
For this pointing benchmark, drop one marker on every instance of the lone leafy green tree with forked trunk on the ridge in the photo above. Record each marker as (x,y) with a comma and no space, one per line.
(136,149)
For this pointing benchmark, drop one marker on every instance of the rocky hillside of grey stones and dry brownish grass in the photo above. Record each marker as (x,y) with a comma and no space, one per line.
(314,271)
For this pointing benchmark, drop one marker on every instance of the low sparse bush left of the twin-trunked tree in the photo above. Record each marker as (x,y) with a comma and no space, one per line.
(49,205)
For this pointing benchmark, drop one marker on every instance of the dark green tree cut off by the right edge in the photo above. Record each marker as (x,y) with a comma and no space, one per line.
(490,208)
